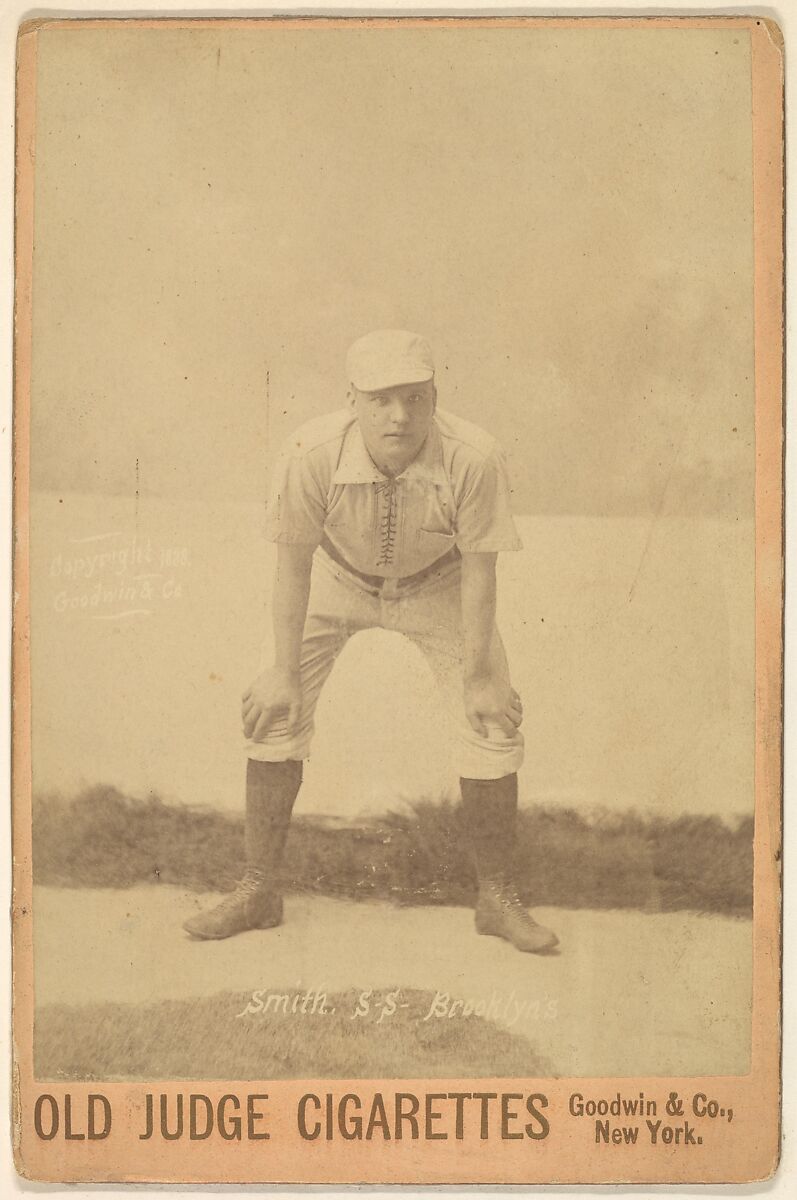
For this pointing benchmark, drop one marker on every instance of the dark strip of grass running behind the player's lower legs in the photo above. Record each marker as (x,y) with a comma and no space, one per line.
(103,838)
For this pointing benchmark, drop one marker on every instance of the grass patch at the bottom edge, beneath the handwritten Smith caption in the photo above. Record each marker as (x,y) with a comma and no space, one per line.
(207,1040)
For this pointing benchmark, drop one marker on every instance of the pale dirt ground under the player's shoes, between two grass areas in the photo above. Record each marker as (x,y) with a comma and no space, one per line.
(628,994)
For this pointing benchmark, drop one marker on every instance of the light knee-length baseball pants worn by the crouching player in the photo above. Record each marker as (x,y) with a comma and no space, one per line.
(429,614)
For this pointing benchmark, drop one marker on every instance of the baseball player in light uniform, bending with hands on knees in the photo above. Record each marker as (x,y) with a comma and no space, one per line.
(387,514)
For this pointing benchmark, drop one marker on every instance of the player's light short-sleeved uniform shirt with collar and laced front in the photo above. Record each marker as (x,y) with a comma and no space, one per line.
(454,494)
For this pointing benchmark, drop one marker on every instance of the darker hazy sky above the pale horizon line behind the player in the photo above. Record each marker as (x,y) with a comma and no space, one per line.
(565,213)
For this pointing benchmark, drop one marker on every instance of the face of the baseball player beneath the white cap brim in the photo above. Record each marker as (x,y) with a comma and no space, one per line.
(395,423)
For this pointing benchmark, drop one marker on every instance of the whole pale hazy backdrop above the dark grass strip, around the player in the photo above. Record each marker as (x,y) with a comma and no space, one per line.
(566,213)
